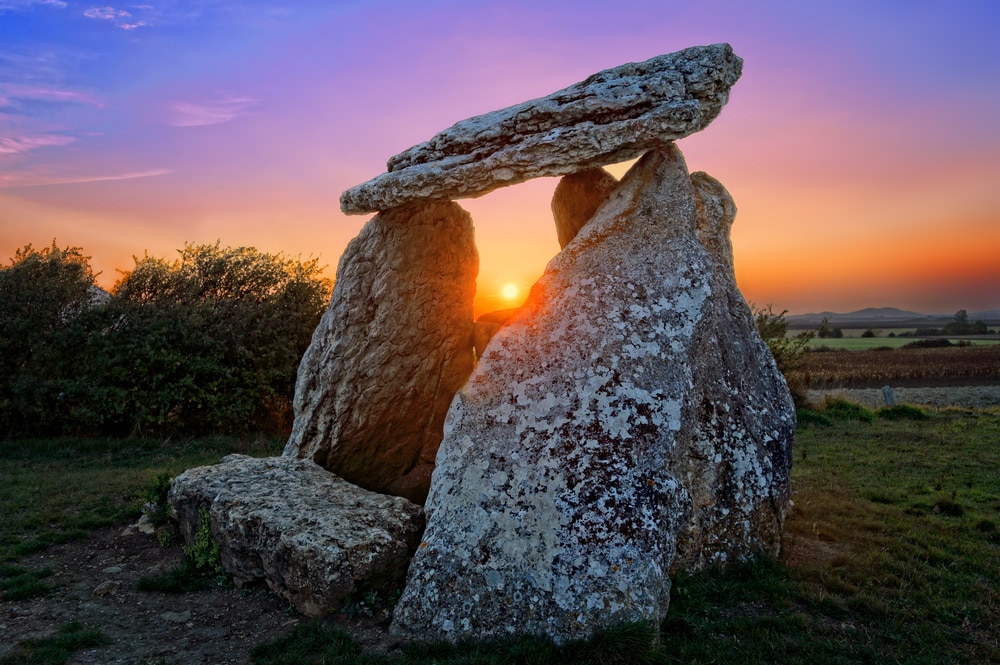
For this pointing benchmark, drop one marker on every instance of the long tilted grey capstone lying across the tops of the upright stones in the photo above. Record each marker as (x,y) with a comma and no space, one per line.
(613,116)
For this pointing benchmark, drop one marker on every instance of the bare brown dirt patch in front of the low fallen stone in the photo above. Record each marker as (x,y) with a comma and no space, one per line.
(95,583)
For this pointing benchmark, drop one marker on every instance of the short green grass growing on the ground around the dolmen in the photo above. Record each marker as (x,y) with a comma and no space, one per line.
(891,551)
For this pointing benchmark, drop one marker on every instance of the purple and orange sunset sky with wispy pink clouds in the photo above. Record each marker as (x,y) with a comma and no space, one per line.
(862,145)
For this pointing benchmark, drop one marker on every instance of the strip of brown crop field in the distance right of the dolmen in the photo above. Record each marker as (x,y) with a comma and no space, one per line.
(966,365)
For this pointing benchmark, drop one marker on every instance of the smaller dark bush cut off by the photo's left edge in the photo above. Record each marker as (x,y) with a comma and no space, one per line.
(43,295)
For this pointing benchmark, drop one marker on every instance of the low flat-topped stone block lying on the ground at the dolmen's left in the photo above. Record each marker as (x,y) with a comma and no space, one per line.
(312,536)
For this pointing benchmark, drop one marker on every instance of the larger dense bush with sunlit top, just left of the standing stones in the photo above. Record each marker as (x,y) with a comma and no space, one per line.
(207,343)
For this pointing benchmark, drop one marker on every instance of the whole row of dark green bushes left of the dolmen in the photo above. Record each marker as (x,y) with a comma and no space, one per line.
(207,343)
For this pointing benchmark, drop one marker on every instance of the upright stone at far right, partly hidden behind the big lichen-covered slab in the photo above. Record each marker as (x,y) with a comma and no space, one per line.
(736,460)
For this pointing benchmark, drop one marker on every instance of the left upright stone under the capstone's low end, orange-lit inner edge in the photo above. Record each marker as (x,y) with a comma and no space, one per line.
(392,349)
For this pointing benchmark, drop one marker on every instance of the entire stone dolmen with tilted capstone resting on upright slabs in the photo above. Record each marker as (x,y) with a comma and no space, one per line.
(625,423)
